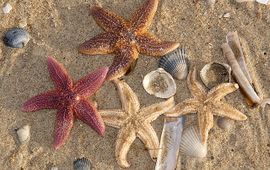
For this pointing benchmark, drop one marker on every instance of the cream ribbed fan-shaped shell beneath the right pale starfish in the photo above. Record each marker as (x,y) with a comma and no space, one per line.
(191,144)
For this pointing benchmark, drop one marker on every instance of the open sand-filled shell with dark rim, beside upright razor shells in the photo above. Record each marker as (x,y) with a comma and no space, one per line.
(215,73)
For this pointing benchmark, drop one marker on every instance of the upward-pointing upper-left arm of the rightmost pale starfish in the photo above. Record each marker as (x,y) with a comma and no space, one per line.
(195,88)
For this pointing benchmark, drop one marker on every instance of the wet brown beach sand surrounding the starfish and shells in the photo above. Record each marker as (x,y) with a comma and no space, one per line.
(58,27)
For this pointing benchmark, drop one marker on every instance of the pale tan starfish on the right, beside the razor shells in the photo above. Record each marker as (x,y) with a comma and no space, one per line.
(206,104)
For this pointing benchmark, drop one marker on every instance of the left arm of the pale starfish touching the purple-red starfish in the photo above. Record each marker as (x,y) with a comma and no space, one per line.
(114,118)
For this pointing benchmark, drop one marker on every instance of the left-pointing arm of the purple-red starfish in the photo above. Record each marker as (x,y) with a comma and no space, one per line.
(48,100)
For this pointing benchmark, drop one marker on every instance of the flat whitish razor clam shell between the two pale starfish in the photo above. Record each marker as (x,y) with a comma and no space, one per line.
(169,144)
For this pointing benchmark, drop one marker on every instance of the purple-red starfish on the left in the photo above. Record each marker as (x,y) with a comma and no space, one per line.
(70,100)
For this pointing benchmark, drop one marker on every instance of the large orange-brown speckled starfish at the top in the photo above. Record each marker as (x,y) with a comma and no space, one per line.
(126,39)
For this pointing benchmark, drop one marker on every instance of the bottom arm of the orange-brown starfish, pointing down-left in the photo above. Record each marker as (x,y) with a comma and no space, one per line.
(123,62)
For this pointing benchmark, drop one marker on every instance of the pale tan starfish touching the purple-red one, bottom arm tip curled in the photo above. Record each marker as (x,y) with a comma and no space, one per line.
(134,122)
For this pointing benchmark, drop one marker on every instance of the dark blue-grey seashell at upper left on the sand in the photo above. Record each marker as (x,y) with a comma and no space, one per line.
(16,38)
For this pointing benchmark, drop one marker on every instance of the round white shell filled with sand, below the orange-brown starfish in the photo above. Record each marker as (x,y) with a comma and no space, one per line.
(159,83)
